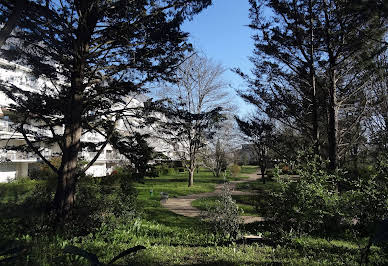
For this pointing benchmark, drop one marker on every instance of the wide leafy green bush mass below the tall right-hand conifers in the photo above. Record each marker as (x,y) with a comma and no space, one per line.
(313,204)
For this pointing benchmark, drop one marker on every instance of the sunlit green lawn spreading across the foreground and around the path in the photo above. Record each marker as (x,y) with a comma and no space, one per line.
(171,239)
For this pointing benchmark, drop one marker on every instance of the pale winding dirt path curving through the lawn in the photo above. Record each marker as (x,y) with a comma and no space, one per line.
(182,205)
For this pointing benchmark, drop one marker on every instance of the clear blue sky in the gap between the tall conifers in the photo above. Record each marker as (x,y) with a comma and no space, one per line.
(221,33)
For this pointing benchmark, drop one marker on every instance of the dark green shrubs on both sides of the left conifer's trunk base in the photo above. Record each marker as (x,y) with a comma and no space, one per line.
(98,202)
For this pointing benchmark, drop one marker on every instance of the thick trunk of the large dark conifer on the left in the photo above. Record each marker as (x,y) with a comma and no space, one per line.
(68,172)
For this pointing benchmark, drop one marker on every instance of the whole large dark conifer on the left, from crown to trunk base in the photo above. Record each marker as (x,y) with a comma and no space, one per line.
(96,55)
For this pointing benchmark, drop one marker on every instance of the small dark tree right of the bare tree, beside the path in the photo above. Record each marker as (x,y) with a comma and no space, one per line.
(260,134)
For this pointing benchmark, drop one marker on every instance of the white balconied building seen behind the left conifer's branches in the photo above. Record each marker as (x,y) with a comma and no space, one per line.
(17,164)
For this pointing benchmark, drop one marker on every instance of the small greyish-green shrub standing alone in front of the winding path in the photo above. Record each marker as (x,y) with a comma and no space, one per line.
(224,215)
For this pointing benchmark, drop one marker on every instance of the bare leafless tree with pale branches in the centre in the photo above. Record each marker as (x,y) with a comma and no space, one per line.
(196,103)
